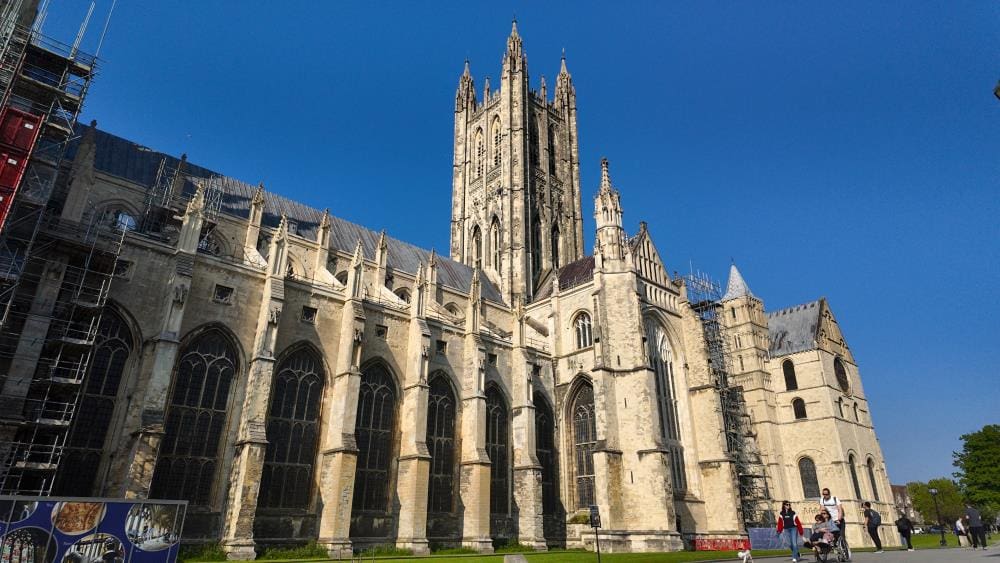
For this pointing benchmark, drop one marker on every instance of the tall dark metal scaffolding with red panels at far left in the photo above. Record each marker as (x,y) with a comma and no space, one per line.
(55,273)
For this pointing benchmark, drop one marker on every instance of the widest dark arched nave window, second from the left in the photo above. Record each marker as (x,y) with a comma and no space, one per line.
(195,419)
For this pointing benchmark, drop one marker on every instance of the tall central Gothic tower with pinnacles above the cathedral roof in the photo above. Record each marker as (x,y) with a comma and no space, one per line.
(516,177)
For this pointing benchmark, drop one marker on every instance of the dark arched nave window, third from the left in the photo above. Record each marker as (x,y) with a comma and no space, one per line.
(292,431)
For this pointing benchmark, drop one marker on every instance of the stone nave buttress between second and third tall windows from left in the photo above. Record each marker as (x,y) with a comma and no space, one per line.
(251,442)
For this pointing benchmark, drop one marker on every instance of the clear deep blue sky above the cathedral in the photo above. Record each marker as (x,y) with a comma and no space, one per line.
(846,150)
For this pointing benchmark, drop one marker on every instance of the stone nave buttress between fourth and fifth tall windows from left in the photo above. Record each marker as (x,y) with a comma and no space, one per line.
(414,458)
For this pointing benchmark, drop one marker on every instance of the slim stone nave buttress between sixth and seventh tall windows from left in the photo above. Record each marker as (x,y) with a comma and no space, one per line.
(527,470)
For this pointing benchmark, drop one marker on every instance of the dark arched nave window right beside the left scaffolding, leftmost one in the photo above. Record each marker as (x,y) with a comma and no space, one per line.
(96,405)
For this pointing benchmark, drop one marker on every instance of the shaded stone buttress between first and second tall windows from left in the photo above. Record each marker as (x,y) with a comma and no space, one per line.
(146,446)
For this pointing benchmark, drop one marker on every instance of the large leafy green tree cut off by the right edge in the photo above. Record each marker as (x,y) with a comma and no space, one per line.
(979,468)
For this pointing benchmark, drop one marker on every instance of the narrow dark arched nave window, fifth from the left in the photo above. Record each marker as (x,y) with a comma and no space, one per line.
(441,443)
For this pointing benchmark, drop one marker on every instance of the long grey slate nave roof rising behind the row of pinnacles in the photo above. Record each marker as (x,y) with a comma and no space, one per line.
(133,162)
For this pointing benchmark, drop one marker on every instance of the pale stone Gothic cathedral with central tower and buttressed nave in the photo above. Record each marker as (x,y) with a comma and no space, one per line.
(297,377)
